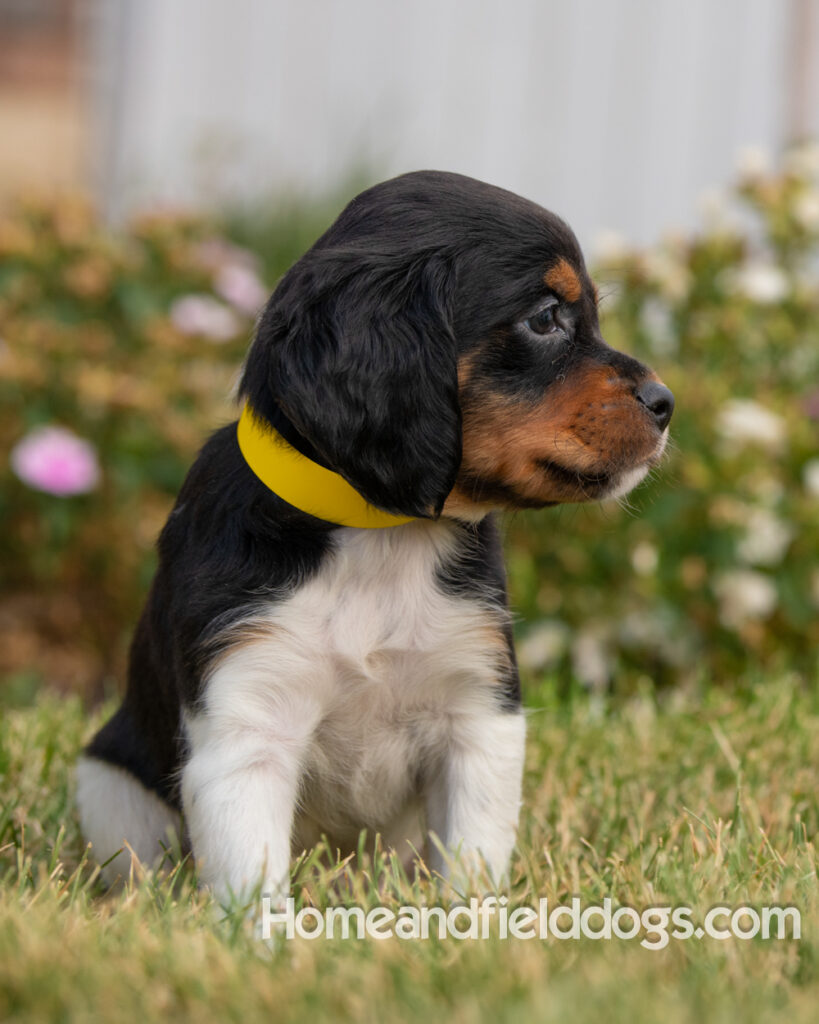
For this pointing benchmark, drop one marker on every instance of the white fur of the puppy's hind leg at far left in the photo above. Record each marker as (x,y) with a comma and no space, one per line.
(116,808)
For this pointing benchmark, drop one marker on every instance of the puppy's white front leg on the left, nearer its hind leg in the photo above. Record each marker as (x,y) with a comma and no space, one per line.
(241,784)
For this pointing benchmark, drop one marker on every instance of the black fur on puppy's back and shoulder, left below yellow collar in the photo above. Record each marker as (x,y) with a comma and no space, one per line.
(229,545)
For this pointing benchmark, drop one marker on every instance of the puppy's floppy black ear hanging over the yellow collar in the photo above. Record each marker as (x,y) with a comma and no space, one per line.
(357,350)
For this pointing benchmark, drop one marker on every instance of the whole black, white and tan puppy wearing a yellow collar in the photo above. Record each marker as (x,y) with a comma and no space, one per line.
(303,670)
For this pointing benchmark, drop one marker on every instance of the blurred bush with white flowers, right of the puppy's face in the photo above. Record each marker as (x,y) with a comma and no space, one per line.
(713,569)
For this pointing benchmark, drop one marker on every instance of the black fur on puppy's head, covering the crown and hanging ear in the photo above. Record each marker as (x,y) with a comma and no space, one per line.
(359,344)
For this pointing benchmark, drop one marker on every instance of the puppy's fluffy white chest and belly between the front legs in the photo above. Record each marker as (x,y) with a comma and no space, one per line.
(392,660)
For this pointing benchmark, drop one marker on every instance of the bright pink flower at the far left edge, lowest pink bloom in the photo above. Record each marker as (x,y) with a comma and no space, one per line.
(55,460)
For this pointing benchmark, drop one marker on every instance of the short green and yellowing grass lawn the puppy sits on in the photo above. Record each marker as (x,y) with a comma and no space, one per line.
(677,802)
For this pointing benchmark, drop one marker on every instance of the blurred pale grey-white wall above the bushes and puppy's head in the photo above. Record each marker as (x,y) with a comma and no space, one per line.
(617,114)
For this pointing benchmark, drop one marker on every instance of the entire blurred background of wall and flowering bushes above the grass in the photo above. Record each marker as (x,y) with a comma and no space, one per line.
(163,163)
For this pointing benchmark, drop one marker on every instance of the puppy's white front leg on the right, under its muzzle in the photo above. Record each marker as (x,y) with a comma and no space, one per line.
(475,801)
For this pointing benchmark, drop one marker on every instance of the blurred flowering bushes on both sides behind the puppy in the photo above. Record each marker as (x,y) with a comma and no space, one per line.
(118,356)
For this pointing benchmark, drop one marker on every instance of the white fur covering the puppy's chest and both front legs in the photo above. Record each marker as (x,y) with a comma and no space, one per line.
(365,692)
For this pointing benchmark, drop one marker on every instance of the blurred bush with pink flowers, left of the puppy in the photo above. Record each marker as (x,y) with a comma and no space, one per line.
(118,355)
